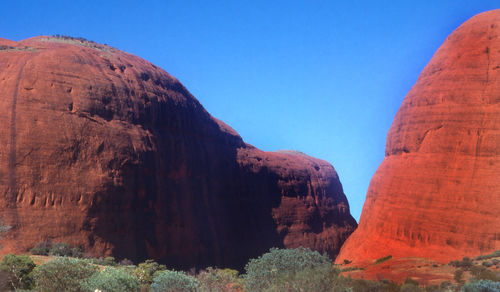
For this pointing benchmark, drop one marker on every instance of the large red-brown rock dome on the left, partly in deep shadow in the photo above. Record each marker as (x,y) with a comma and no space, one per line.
(105,150)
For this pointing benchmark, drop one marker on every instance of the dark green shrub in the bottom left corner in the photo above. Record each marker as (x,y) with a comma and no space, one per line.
(20,267)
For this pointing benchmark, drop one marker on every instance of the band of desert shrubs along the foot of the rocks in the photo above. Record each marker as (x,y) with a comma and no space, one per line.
(277,270)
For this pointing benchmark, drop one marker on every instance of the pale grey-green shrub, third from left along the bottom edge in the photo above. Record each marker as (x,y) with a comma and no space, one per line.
(111,280)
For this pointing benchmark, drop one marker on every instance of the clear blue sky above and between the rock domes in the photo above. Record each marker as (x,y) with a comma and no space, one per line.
(322,77)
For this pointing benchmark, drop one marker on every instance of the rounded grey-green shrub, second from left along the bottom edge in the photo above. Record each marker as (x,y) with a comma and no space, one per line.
(63,274)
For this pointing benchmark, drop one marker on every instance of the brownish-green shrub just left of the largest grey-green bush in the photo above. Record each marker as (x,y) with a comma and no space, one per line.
(219,280)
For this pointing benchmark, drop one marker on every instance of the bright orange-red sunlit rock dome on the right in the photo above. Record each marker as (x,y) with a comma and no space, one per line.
(437,192)
